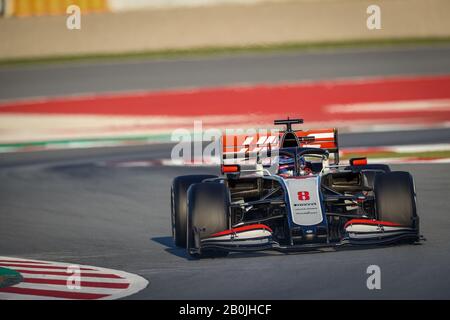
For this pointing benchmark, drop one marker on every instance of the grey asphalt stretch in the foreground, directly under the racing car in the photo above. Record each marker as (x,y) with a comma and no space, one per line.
(82,211)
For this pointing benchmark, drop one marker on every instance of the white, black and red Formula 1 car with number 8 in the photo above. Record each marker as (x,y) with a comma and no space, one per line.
(299,197)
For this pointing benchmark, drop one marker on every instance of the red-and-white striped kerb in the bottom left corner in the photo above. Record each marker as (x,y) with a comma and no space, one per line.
(52,280)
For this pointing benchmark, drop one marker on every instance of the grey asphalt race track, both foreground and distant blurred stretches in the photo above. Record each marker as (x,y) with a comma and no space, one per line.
(75,206)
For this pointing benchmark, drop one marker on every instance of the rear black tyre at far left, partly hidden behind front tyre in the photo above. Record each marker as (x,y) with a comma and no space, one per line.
(180,186)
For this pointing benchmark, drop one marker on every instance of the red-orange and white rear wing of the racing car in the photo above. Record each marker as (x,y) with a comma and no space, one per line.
(243,148)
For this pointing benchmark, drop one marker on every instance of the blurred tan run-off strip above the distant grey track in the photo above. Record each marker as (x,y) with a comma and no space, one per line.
(118,26)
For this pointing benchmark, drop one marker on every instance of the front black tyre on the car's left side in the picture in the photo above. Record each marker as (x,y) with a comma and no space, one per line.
(208,213)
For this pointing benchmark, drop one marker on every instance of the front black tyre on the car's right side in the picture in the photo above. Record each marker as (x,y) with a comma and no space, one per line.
(396,199)
